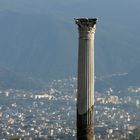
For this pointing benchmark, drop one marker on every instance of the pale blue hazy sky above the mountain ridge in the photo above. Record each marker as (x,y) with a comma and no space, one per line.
(118,11)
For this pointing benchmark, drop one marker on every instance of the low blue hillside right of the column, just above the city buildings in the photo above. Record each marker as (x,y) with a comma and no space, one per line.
(120,81)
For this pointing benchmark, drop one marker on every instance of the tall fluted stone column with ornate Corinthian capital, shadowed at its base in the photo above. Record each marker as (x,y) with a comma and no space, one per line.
(85,95)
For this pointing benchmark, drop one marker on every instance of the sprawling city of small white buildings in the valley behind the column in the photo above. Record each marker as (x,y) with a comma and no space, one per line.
(51,113)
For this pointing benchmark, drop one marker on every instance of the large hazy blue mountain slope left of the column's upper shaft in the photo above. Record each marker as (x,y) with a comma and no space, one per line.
(37,46)
